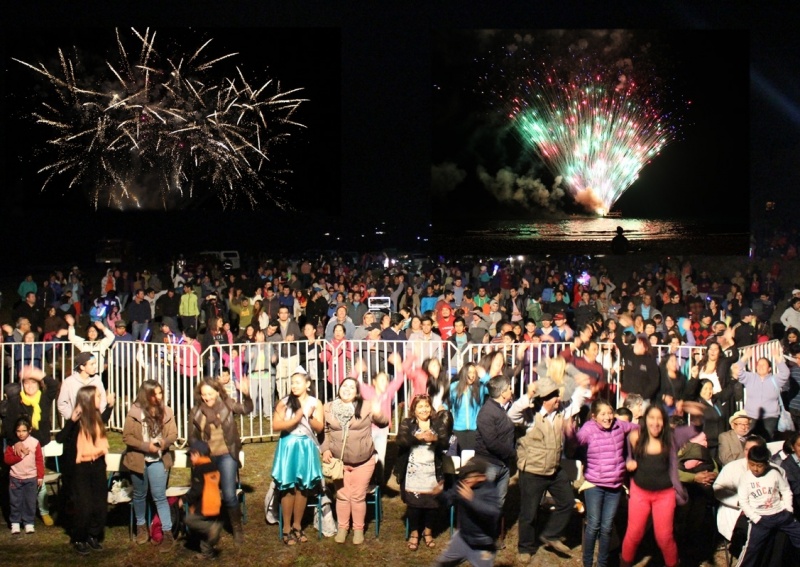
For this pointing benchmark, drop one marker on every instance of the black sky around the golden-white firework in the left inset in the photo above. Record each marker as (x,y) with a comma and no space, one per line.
(297,58)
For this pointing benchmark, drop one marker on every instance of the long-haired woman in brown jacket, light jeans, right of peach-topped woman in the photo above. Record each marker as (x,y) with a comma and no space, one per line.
(149,432)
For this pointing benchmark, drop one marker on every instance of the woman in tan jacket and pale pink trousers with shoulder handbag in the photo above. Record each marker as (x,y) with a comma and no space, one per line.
(348,438)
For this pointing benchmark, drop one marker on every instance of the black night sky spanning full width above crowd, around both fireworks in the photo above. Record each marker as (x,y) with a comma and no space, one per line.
(369,71)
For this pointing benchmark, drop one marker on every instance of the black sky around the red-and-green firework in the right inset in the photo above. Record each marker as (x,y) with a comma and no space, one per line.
(703,77)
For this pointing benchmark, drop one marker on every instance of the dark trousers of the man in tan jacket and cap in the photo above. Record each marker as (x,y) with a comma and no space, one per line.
(532,487)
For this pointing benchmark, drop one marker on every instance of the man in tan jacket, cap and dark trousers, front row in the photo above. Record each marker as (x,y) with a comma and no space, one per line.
(539,463)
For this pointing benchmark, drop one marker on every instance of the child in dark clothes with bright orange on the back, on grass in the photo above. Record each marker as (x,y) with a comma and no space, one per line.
(204,499)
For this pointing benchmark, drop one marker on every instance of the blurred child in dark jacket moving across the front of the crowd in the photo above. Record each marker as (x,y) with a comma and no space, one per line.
(478,514)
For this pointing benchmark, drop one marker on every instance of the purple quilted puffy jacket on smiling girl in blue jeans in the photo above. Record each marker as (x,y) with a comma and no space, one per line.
(605,454)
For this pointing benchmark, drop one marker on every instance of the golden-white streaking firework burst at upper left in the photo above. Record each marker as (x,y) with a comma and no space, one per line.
(166,124)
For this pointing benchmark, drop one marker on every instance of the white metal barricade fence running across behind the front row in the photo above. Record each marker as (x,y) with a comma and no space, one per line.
(270,366)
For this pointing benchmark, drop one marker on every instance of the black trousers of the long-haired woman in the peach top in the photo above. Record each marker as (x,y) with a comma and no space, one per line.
(90,494)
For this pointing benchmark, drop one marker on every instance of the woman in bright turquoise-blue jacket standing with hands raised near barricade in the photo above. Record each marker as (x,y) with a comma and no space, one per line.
(467,394)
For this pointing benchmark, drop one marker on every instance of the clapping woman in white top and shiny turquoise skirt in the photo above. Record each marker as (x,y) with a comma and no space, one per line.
(297,467)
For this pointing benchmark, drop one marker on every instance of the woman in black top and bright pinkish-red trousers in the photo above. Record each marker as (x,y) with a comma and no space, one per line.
(655,487)
